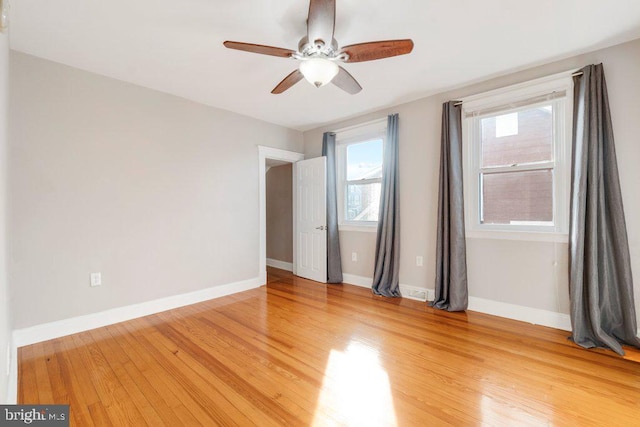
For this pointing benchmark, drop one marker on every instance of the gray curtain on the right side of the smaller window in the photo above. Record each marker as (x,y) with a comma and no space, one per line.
(387,263)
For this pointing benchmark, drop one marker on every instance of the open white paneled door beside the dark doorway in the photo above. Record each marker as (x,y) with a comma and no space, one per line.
(310,234)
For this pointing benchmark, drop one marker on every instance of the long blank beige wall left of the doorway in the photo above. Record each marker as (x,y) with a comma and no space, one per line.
(157,193)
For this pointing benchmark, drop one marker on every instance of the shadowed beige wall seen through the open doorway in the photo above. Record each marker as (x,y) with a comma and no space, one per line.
(279,211)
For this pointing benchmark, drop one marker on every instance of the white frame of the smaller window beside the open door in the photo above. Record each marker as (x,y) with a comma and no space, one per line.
(344,138)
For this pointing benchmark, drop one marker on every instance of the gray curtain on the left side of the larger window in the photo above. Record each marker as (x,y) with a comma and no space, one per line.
(451,250)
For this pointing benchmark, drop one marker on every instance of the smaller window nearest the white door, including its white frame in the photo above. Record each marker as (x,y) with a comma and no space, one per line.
(359,153)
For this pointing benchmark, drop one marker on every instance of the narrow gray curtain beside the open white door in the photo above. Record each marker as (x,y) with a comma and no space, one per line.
(334,263)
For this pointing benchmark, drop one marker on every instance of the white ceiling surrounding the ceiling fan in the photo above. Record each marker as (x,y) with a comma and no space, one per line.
(175,46)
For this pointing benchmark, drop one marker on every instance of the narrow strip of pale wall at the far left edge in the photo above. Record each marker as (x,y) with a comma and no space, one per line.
(5,320)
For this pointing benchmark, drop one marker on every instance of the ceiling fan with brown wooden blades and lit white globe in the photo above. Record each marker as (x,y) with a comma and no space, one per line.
(319,54)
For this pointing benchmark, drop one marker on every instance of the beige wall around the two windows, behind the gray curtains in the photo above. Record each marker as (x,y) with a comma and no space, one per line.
(532,274)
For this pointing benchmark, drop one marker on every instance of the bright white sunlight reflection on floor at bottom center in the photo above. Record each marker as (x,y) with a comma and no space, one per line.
(355,390)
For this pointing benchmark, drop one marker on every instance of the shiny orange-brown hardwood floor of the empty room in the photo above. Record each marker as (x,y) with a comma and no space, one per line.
(301,353)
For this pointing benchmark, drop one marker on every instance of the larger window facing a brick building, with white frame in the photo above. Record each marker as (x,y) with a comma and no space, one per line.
(516,160)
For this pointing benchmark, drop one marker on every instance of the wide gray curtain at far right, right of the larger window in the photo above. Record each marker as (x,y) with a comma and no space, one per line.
(600,283)
